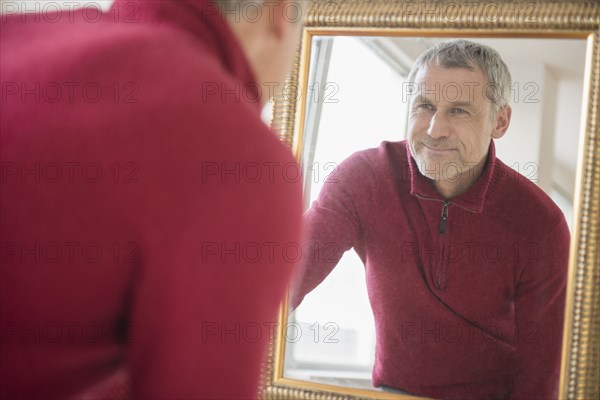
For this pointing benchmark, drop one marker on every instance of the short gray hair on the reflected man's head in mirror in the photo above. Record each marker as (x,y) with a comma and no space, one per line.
(462,53)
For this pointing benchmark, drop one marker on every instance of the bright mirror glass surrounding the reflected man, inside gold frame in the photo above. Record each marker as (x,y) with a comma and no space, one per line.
(357,98)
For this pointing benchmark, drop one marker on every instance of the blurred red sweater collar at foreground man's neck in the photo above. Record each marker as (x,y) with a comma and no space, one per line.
(202,20)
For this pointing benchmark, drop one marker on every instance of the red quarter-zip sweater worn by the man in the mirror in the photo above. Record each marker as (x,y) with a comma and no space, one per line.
(469,308)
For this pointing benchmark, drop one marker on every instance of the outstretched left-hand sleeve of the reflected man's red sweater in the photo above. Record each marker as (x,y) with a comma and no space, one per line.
(332,225)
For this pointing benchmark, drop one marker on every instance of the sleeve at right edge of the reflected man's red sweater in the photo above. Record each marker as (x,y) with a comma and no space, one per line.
(539,313)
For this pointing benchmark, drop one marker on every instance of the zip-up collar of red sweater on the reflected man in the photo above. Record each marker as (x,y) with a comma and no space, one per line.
(473,199)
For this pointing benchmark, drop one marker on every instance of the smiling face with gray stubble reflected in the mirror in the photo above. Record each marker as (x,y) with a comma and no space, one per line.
(450,122)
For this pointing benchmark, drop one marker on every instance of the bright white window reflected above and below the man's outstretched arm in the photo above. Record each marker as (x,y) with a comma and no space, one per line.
(360,104)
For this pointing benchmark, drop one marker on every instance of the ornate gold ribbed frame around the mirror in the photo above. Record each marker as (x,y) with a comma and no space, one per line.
(580,372)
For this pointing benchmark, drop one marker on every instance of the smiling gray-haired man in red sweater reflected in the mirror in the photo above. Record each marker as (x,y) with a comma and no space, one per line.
(465,260)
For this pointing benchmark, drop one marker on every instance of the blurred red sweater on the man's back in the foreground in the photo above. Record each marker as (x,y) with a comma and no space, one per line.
(136,233)
